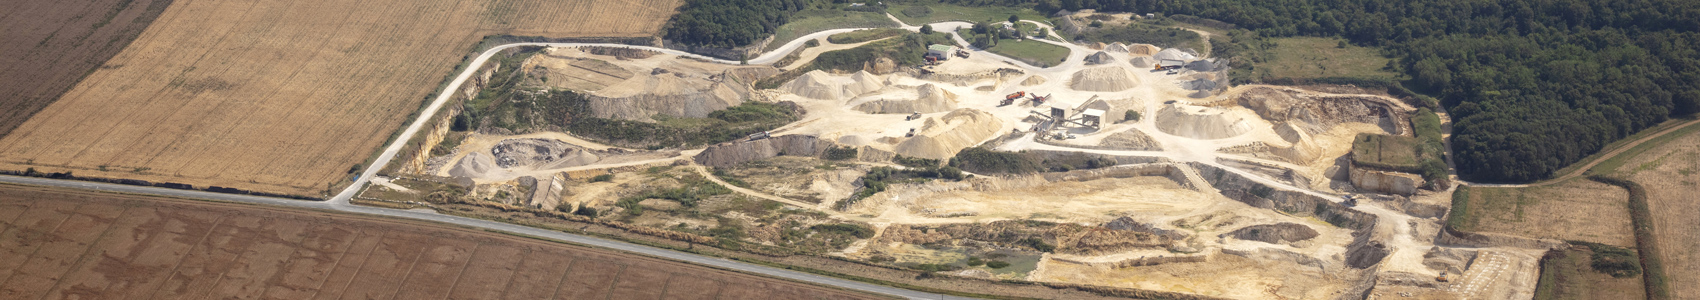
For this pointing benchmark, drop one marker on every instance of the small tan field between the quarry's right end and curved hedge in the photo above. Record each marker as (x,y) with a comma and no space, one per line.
(1572,211)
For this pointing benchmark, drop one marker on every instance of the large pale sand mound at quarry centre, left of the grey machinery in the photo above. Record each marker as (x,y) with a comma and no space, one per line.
(946,136)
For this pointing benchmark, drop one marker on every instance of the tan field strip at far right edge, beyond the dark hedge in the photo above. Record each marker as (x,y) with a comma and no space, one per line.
(1672,175)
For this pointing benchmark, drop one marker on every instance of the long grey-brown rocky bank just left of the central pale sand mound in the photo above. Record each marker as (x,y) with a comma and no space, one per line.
(737,153)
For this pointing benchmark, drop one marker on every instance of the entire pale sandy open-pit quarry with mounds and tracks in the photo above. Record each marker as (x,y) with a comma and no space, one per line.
(1109,170)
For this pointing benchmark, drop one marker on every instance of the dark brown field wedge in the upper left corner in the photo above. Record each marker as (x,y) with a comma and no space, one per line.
(50,45)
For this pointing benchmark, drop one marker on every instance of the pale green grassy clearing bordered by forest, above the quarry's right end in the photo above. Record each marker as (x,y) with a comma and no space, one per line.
(1322,57)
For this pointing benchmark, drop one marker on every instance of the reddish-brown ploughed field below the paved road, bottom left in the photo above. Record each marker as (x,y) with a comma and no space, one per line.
(76,245)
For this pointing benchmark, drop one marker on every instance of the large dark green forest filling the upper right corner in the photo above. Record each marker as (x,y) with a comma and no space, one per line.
(1533,86)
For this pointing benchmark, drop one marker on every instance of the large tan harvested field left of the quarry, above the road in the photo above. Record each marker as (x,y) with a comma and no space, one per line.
(283,96)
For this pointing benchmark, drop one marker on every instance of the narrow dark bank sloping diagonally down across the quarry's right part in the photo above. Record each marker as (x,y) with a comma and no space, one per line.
(1259,195)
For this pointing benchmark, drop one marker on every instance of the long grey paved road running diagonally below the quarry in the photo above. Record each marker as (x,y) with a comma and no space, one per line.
(484,224)
